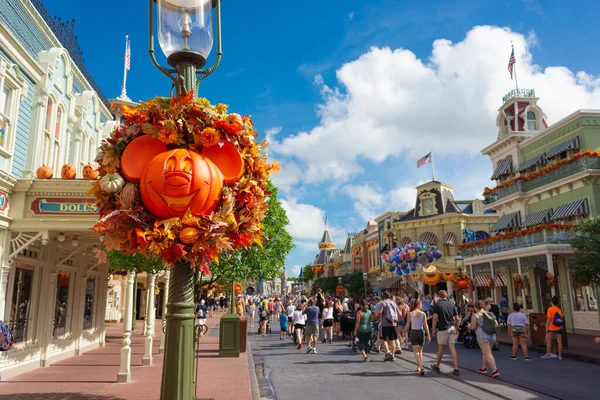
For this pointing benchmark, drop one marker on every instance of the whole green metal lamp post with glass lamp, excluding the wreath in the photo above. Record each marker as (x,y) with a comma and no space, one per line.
(185,36)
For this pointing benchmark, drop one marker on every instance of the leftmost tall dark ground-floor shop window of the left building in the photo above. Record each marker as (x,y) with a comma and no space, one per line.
(20,307)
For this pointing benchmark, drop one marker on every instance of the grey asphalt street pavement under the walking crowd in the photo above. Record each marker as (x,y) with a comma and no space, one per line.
(335,372)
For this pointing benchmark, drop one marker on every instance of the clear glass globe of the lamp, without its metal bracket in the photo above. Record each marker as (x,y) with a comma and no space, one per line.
(185,30)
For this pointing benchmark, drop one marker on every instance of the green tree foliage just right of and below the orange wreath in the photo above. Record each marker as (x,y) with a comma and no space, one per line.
(258,262)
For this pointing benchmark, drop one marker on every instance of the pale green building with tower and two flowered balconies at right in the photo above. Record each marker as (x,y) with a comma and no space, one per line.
(547,179)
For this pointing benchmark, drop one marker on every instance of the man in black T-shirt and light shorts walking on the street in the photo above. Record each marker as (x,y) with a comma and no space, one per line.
(445,322)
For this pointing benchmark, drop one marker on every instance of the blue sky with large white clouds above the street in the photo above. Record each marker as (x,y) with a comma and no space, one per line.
(351,93)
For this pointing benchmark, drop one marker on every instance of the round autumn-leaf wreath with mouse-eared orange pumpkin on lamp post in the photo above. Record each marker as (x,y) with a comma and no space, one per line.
(183,180)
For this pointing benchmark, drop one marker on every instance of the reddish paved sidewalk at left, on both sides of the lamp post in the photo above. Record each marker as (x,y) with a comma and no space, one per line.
(92,376)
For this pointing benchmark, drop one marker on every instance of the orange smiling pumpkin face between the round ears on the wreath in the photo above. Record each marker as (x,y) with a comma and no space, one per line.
(178,179)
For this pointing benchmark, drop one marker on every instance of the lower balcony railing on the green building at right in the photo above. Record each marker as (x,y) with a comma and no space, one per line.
(534,239)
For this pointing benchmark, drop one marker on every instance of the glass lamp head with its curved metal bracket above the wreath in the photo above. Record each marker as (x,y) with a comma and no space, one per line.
(186,38)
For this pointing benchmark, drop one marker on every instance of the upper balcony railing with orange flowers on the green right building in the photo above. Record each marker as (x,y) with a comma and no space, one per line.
(583,164)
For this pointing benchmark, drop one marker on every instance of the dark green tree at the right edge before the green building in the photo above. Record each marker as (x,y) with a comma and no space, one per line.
(586,242)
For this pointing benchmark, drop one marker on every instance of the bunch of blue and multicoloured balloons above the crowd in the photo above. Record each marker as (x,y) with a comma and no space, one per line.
(412,257)
